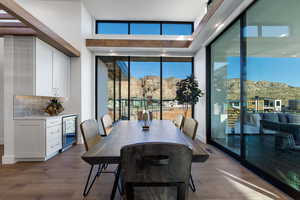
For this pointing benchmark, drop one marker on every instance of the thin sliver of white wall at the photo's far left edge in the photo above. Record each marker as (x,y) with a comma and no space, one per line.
(1,88)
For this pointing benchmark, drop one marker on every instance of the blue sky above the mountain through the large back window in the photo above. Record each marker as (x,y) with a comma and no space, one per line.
(170,69)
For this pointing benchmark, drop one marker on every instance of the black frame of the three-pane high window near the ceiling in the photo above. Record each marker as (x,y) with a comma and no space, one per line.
(143,22)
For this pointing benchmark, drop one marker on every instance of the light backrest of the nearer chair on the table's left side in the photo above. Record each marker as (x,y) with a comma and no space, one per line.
(90,133)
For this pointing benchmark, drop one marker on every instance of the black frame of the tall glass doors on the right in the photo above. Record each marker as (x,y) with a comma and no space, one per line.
(242,157)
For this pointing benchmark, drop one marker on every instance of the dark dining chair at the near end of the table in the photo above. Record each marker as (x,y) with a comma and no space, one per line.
(156,171)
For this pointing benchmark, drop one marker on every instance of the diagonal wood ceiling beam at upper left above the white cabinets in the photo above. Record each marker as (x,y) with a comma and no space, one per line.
(42,31)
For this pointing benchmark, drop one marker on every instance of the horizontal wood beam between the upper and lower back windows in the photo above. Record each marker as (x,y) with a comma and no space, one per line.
(138,43)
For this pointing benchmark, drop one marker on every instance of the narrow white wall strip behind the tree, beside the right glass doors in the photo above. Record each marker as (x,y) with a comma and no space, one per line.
(200,108)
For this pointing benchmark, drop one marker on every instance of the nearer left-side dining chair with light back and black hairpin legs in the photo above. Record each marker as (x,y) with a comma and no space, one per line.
(91,136)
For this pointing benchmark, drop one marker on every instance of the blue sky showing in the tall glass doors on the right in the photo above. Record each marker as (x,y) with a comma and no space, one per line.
(284,70)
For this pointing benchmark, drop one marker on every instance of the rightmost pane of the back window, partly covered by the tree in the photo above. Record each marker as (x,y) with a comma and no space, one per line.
(173,71)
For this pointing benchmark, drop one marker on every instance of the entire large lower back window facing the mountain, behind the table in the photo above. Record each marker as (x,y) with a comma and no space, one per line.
(149,83)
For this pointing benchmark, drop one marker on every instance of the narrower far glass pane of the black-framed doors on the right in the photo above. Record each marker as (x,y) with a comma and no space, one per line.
(225,89)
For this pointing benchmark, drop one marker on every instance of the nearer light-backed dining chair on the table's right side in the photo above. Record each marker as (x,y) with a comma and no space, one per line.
(190,127)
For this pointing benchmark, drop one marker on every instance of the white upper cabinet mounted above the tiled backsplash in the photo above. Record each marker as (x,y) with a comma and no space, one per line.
(40,70)
